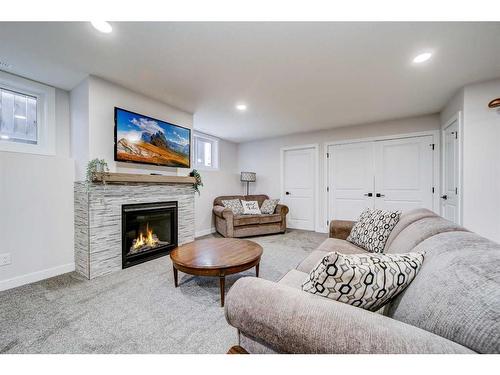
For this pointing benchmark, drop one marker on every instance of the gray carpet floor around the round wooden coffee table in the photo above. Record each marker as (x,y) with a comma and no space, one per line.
(136,310)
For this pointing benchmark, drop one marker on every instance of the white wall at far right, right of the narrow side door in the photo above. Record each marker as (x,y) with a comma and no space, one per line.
(481,147)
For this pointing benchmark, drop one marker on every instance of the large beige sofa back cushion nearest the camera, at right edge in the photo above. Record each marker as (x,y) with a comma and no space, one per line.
(456,294)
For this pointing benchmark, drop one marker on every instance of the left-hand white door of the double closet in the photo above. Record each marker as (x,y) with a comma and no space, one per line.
(350,174)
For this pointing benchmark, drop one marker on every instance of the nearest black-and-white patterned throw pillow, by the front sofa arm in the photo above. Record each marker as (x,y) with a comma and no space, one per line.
(365,280)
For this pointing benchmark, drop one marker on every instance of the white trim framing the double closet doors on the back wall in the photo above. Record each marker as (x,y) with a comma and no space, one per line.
(436,139)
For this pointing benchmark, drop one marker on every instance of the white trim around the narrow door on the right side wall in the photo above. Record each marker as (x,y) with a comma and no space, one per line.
(458,118)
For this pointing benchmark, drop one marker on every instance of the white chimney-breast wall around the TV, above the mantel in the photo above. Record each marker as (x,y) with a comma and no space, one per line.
(102,97)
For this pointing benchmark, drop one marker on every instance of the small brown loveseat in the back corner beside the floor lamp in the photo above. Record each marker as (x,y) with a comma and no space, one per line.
(230,225)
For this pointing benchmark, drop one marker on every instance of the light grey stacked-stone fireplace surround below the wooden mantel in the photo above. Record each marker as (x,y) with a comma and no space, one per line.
(98,214)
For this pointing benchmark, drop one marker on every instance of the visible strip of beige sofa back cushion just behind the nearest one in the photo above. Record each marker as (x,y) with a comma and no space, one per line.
(419,231)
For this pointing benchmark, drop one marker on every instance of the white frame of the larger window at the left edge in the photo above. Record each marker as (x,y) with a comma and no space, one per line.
(46,129)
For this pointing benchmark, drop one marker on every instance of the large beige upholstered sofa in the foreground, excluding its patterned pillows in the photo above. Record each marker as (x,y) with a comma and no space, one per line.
(452,306)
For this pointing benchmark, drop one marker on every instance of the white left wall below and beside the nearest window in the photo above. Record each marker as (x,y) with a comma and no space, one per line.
(36,220)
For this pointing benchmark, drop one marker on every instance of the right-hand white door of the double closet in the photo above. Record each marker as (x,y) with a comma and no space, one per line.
(404,173)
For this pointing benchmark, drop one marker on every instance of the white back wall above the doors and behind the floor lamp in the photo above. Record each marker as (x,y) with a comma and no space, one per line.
(263,157)
